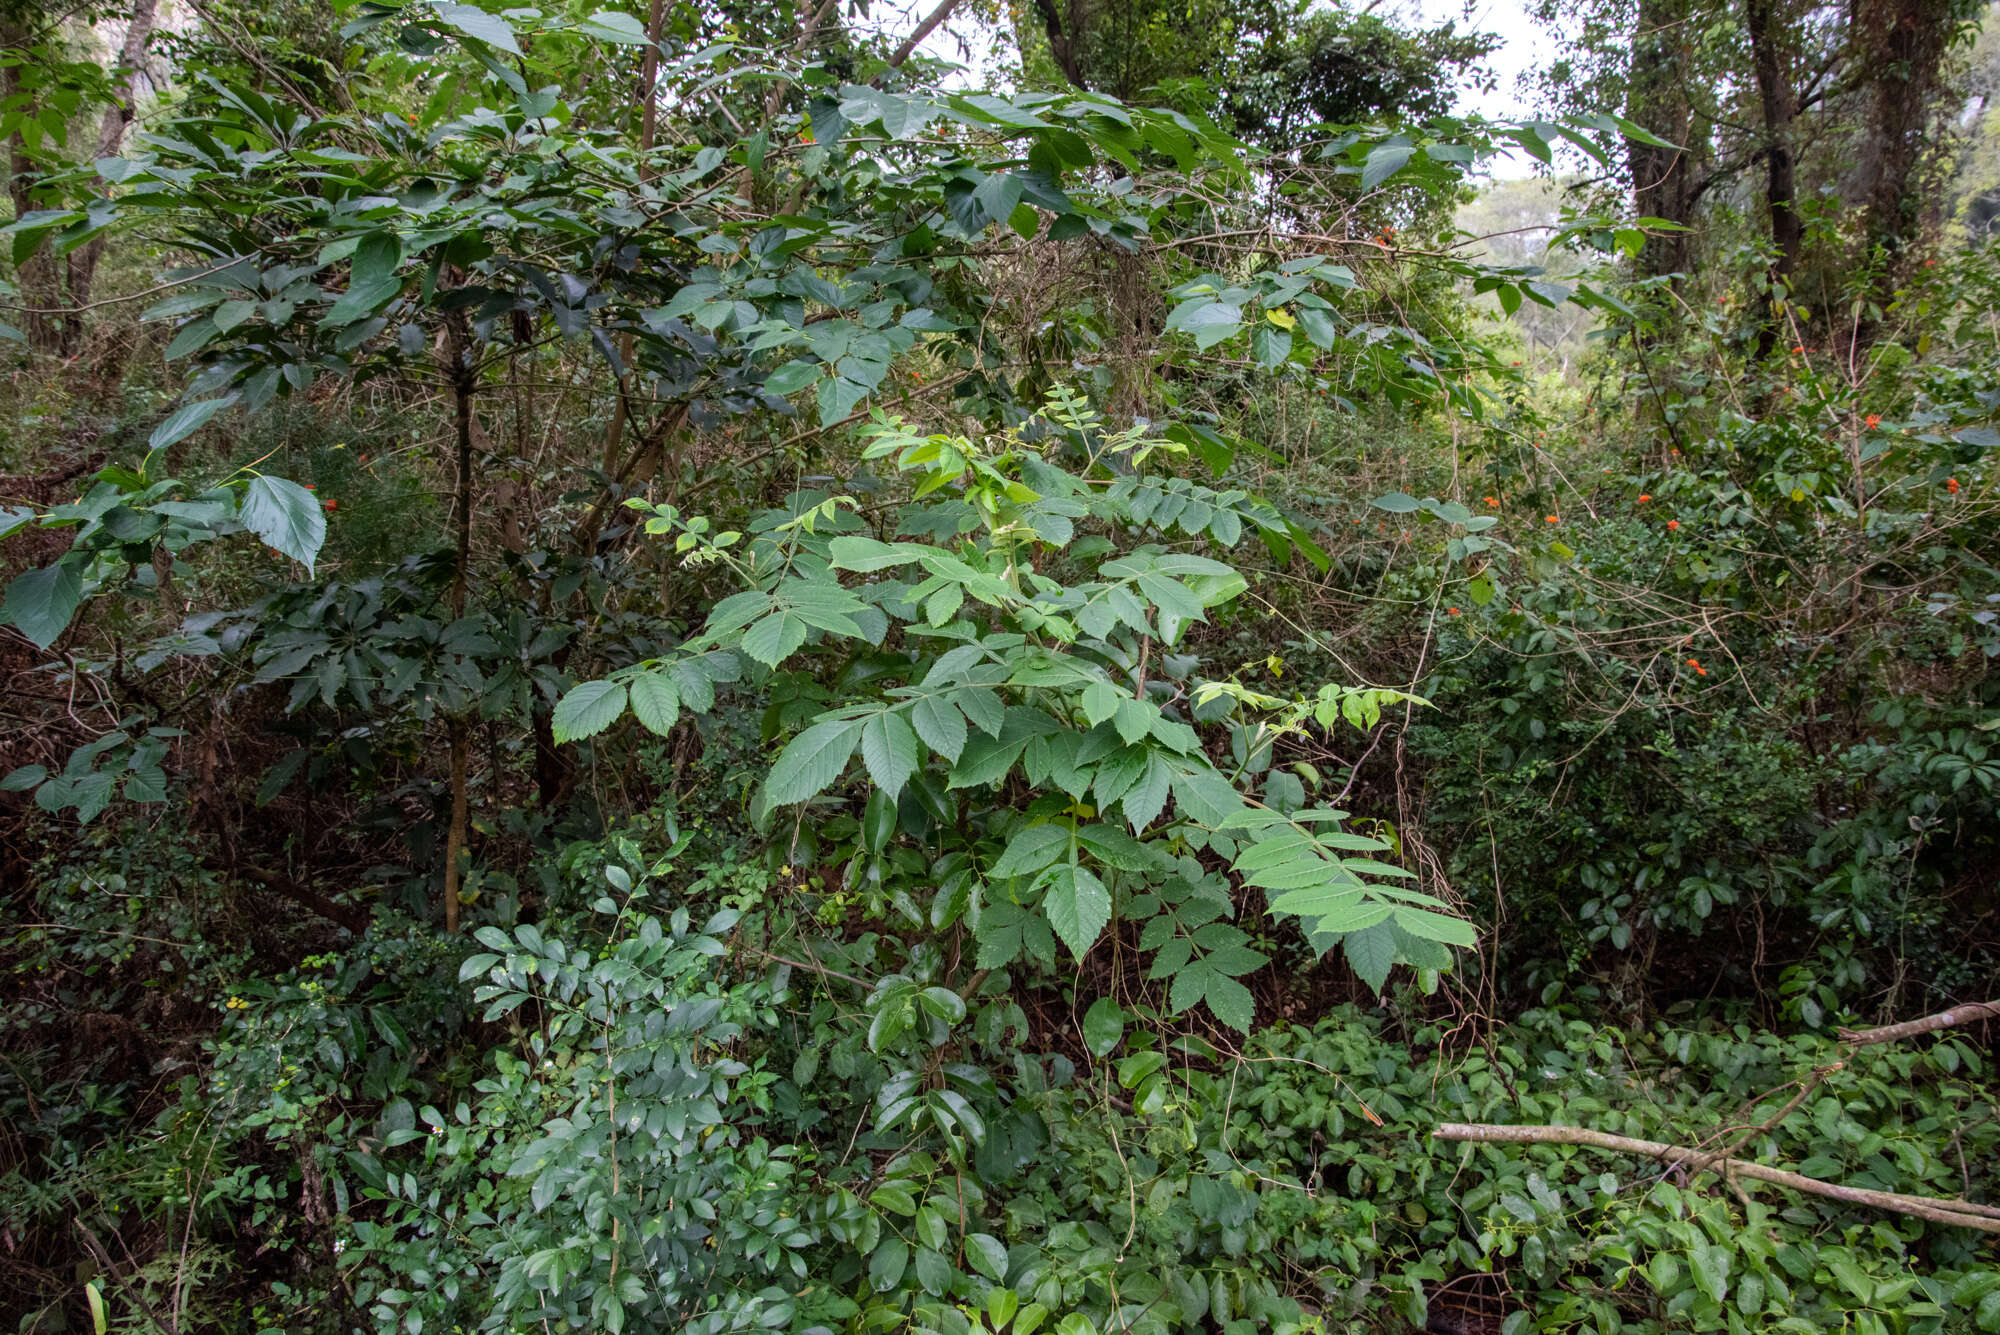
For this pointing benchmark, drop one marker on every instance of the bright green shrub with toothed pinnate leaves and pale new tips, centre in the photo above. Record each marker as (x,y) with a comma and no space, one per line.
(995,678)
